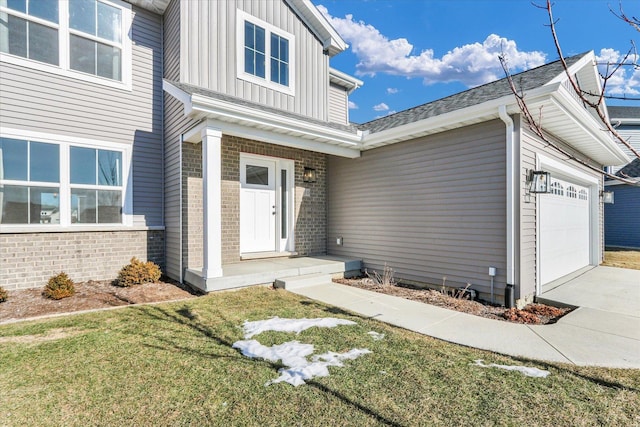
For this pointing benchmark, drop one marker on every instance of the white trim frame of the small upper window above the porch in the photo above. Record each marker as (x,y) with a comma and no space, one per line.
(241,17)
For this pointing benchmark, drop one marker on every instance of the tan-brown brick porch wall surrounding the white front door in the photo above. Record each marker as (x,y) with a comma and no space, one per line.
(310,198)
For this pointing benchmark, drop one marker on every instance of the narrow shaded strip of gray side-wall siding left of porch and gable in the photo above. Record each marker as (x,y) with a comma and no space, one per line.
(175,124)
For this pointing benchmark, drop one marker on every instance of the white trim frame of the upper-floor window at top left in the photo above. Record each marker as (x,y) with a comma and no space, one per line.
(64,69)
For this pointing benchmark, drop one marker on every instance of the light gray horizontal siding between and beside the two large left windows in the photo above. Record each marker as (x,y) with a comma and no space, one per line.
(40,101)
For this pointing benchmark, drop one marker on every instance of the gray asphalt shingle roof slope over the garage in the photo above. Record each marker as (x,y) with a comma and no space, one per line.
(526,80)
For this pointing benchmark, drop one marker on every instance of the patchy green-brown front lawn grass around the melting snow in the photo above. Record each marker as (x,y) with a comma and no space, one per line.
(172,364)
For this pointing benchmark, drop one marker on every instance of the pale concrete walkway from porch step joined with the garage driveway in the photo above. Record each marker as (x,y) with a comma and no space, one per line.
(604,331)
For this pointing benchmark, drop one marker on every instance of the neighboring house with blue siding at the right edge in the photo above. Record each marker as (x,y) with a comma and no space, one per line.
(622,218)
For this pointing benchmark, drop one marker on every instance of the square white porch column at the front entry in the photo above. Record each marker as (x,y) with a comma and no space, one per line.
(211,203)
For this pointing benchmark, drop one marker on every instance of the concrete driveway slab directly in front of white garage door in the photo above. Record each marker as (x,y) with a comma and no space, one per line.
(611,289)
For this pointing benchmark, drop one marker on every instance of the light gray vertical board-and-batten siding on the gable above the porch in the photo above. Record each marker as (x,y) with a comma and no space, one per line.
(208,54)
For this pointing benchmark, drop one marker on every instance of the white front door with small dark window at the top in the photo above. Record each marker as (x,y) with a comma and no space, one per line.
(257,205)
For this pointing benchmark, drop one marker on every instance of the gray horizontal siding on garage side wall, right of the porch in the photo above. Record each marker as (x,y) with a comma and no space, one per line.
(430,208)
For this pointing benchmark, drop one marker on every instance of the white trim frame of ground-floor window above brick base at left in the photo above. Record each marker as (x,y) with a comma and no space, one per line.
(65,143)
